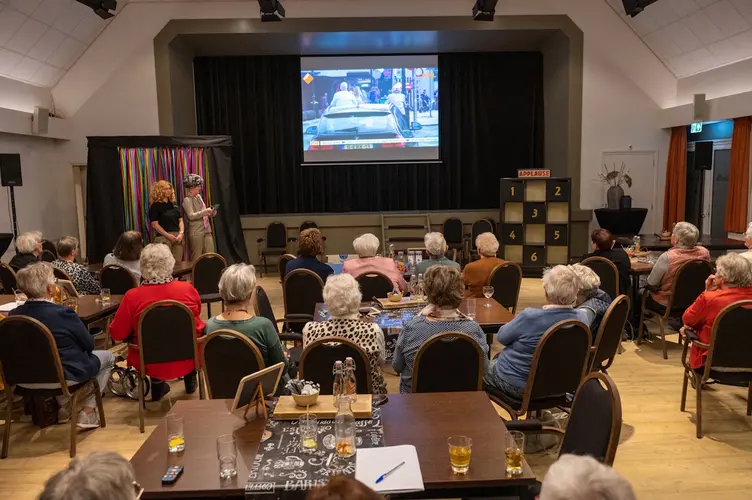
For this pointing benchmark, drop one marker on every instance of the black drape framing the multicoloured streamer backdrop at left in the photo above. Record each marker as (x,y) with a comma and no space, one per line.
(104,192)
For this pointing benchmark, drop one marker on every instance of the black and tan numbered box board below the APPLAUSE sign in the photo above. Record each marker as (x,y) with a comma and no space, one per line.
(535,222)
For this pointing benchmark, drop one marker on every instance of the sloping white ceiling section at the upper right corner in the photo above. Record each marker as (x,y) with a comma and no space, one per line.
(694,36)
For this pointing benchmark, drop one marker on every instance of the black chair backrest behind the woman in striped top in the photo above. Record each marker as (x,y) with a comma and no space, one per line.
(449,362)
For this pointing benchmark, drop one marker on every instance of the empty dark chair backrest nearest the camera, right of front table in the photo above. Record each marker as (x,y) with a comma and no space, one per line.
(595,420)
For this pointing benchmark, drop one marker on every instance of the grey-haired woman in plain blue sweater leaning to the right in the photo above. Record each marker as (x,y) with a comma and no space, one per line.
(510,369)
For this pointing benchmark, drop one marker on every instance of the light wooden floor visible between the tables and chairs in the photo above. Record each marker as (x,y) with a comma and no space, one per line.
(659,452)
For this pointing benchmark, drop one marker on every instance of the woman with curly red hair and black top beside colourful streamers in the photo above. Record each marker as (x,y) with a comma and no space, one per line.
(165,218)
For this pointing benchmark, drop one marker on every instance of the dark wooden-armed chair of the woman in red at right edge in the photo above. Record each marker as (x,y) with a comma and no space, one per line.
(728,361)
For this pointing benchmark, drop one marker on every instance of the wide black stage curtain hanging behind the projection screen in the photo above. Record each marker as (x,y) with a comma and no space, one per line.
(491,110)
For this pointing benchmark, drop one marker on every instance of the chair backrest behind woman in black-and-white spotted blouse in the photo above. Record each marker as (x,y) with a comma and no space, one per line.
(318,358)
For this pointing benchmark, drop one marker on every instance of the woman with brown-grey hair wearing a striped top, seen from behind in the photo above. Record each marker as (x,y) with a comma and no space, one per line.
(444,290)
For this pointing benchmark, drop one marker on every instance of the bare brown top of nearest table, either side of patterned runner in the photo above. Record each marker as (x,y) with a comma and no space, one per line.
(423,420)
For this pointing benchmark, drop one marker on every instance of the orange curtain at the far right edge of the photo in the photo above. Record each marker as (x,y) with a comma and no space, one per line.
(736,202)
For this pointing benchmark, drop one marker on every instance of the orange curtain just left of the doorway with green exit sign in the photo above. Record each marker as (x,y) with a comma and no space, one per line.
(675,195)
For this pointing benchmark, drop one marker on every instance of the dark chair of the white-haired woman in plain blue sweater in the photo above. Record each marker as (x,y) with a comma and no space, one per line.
(559,363)
